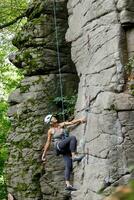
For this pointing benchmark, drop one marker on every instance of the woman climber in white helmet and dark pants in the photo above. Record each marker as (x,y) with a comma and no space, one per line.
(63,144)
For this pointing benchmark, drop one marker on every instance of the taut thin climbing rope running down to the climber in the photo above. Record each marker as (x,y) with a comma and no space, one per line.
(58,57)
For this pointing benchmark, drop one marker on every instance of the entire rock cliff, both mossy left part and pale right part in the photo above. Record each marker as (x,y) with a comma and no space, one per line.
(101,36)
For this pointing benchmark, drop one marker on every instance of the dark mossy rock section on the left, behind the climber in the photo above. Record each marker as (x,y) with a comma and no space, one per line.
(27,177)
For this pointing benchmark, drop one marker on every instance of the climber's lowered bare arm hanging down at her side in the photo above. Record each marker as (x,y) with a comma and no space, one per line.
(47,145)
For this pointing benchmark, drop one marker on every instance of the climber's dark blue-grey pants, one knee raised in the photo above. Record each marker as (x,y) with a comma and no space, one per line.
(67,146)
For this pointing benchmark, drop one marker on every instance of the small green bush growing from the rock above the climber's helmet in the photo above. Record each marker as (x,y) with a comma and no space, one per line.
(69,105)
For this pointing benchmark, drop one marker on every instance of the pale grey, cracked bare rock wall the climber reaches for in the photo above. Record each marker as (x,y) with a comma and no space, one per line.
(101,33)
